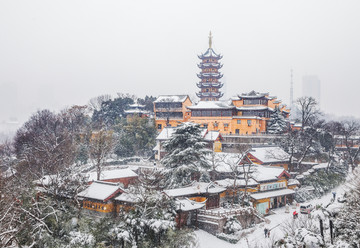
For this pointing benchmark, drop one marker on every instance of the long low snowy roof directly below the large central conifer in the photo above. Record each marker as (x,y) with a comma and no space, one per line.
(195,188)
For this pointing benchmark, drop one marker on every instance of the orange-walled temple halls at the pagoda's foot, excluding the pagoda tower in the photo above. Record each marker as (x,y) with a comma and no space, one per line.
(244,114)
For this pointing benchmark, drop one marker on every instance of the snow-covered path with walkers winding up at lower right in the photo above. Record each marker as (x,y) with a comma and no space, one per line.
(255,237)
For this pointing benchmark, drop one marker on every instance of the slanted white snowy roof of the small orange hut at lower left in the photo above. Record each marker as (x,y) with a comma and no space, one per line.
(101,191)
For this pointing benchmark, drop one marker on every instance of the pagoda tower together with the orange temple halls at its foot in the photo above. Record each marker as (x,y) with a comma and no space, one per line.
(243,114)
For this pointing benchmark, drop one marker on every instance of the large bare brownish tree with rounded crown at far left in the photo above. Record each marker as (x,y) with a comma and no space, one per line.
(48,141)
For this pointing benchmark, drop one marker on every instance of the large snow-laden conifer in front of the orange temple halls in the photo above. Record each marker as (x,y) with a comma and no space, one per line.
(185,158)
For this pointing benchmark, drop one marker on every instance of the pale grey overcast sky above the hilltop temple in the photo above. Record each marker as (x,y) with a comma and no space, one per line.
(55,54)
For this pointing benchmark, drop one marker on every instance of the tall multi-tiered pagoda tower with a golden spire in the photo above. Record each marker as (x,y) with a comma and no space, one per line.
(209,76)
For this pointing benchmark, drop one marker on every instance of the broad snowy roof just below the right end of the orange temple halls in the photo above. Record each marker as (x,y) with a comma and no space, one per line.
(270,154)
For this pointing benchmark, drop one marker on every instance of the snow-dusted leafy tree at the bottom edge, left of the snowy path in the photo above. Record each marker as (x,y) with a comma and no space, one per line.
(151,222)
